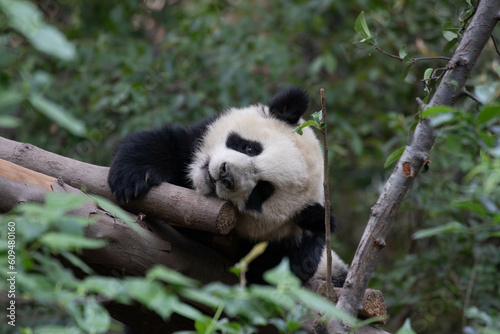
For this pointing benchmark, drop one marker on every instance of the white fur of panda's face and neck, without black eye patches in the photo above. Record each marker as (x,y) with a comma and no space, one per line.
(292,163)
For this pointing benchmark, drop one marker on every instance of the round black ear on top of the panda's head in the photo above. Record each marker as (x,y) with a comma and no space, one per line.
(289,105)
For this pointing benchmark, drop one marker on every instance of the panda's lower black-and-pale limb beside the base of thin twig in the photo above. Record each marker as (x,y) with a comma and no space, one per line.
(308,260)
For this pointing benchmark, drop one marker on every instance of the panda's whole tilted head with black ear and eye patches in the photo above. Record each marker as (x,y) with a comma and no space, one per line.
(253,158)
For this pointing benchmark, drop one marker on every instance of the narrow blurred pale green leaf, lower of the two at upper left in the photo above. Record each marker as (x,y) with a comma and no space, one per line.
(58,114)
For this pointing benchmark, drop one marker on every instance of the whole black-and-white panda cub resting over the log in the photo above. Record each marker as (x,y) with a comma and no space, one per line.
(252,158)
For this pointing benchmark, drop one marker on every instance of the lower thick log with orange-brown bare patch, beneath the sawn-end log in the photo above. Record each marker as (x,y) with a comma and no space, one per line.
(190,258)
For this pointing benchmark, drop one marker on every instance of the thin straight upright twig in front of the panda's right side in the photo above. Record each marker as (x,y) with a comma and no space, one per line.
(328,241)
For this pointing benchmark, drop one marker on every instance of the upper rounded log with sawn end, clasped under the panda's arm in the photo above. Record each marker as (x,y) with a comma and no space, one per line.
(175,205)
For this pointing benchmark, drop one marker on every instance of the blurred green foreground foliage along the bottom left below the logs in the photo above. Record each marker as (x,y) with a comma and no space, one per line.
(43,281)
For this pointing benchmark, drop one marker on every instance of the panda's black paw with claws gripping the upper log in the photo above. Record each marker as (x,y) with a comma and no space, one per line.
(129,184)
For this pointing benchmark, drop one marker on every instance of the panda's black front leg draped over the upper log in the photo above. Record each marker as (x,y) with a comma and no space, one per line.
(146,159)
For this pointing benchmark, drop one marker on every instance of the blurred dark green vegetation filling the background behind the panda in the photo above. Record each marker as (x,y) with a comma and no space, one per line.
(77,76)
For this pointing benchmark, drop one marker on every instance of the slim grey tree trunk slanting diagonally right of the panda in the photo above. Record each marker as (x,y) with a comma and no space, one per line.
(414,157)
